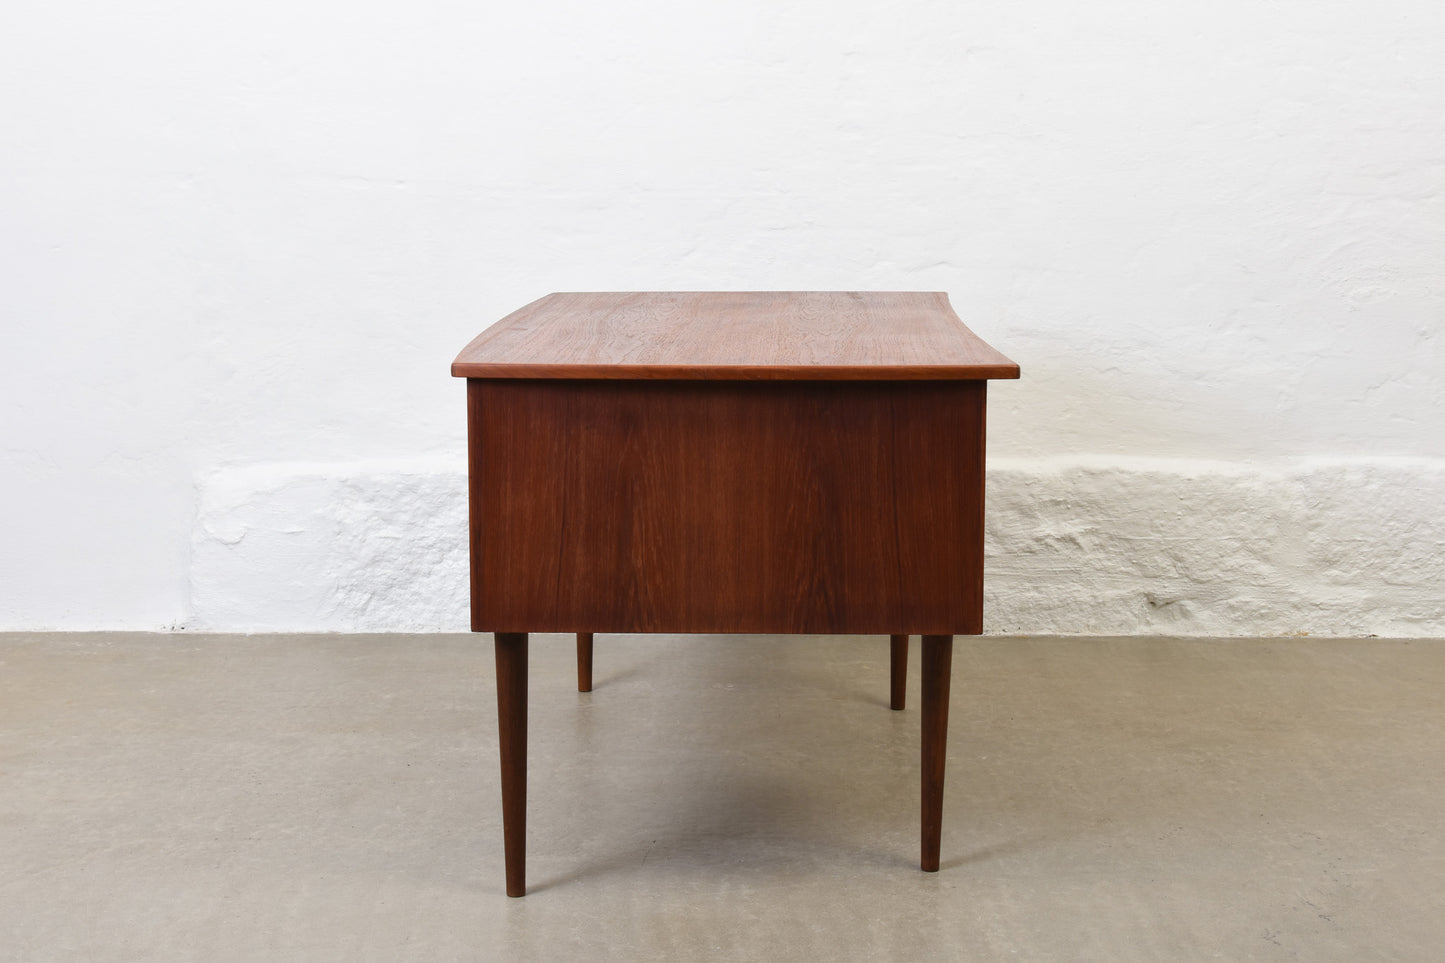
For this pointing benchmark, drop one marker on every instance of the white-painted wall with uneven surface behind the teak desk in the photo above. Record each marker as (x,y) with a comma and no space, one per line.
(242,242)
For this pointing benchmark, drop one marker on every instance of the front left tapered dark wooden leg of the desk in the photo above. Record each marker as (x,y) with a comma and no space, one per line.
(512,727)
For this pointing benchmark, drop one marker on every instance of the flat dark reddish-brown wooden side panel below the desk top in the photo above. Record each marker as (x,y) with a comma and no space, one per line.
(694,507)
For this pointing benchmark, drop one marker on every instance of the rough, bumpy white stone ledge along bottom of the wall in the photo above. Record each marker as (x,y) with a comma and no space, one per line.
(1074,547)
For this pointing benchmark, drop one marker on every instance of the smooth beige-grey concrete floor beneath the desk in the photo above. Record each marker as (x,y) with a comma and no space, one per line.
(177,797)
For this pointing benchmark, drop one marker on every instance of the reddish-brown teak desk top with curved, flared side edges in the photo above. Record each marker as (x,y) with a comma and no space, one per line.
(735,336)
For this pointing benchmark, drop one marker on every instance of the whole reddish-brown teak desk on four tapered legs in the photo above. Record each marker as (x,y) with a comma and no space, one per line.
(768,462)
